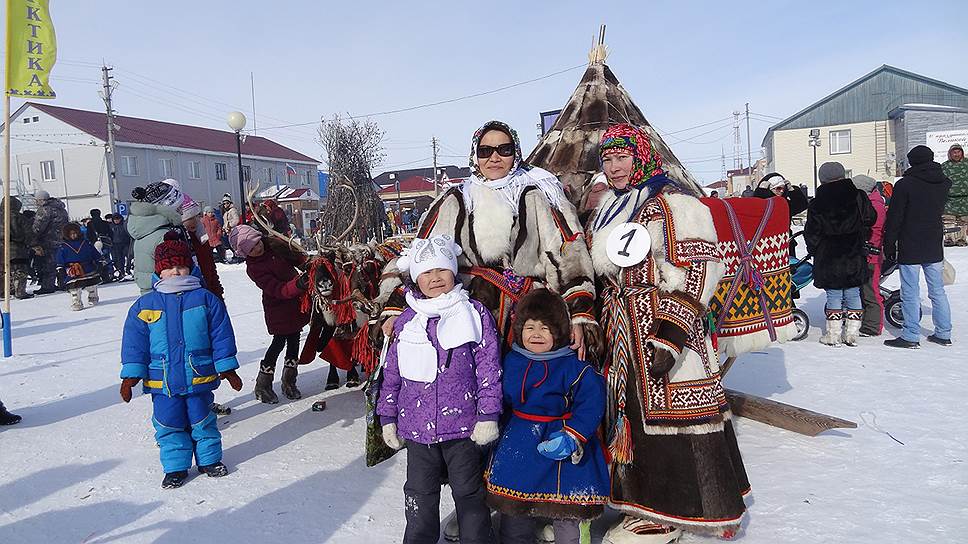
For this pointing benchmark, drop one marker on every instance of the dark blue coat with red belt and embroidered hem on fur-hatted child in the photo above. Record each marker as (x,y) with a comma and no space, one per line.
(563,393)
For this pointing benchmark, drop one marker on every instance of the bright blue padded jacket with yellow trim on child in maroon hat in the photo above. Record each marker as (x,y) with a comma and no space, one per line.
(178,343)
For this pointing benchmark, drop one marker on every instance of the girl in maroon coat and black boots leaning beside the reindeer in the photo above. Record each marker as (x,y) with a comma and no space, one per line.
(282,288)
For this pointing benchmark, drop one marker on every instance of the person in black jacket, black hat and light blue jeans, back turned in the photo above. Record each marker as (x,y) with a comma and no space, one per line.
(914,239)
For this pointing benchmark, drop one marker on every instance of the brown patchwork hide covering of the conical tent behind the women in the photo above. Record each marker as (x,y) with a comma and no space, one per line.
(570,149)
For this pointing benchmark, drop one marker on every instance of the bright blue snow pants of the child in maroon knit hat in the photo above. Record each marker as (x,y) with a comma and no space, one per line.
(185,425)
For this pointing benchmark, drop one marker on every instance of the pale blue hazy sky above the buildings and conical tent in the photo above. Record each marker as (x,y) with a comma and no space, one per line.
(685,63)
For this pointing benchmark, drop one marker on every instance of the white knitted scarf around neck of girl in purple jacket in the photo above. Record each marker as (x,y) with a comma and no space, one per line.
(459,324)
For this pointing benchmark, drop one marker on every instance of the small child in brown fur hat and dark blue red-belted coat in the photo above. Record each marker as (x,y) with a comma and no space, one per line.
(549,462)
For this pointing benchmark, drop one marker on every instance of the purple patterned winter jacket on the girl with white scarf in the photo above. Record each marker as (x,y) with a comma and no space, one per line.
(467,388)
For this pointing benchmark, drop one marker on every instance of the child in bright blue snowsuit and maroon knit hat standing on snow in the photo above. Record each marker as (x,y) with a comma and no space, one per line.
(178,339)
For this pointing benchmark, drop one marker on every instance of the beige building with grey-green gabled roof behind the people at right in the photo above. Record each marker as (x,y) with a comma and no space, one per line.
(863,126)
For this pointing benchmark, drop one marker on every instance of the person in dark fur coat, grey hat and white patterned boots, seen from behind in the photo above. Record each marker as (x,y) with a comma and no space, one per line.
(839,223)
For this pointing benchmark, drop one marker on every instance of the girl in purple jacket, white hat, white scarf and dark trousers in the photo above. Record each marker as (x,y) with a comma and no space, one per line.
(441,393)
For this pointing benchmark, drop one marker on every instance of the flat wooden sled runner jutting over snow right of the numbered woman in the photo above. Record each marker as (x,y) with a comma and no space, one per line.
(778,414)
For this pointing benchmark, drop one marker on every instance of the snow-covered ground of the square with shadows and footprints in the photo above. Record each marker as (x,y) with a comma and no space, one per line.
(83,466)
